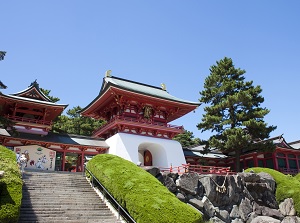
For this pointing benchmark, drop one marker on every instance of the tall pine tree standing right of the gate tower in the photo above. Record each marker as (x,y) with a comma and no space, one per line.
(233,111)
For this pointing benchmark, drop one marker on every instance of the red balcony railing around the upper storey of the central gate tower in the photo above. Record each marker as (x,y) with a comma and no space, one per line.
(142,121)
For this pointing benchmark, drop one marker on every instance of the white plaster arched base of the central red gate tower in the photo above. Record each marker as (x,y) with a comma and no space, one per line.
(130,147)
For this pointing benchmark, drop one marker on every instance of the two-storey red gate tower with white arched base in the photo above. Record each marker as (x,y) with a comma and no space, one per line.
(138,120)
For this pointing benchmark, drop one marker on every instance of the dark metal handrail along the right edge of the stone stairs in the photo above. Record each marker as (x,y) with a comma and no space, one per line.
(121,211)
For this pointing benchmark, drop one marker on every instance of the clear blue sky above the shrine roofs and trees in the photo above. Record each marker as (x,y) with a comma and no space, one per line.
(68,45)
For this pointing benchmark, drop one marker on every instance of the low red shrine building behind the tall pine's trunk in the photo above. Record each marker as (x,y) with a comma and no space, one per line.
(285,158)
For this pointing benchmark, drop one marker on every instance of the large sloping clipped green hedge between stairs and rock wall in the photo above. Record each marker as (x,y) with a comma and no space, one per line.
(145,198)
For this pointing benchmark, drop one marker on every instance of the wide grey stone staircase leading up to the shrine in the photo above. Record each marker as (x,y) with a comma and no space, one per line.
(61,197)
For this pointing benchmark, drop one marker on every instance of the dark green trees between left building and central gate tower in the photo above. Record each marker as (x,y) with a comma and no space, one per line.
(74,123)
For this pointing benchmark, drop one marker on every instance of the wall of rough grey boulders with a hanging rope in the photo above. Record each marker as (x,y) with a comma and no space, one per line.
(245,197)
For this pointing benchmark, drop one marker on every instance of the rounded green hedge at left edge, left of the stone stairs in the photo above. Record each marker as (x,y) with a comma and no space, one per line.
(10,187)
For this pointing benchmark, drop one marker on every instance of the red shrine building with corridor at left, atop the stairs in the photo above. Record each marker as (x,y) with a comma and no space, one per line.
(32,114)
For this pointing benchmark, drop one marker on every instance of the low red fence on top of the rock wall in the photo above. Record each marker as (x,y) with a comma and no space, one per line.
(188,168)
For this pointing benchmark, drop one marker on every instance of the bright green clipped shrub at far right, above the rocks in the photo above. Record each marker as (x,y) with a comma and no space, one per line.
(286,186)
